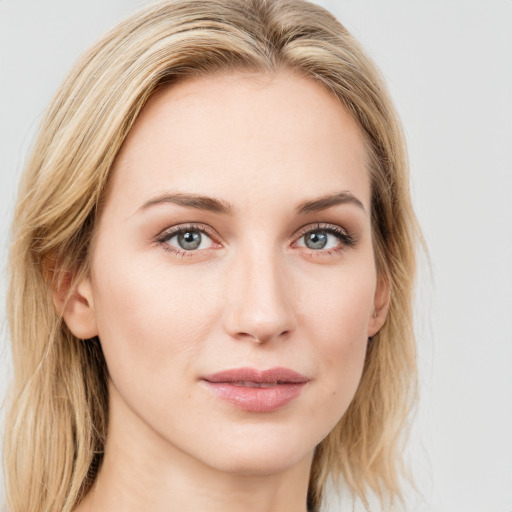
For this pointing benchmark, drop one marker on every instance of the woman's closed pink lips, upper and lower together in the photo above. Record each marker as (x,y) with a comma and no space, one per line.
(256,390)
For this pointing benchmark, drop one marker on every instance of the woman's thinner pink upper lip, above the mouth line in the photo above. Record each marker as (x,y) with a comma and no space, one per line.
(276,375)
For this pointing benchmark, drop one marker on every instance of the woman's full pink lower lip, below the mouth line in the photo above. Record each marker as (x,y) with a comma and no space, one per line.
(257,399)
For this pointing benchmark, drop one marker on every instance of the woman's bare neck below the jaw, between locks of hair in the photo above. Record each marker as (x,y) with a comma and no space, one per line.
(143,471)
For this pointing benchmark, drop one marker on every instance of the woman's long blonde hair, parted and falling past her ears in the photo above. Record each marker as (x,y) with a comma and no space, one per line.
(57,422)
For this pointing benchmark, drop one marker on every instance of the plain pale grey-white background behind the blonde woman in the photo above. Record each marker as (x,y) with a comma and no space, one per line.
(449,67)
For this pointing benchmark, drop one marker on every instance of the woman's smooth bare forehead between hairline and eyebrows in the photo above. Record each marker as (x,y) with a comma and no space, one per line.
(267,134)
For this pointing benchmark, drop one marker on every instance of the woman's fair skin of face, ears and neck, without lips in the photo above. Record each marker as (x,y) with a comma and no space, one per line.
(252,295)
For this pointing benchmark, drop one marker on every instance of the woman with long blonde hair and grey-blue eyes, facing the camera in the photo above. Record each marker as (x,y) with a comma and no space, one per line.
(212,271)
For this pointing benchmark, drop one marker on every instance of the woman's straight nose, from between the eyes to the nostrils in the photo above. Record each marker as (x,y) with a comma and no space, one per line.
(259,305)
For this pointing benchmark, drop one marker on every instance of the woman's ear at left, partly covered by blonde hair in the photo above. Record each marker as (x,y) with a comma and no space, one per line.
(76,305)
